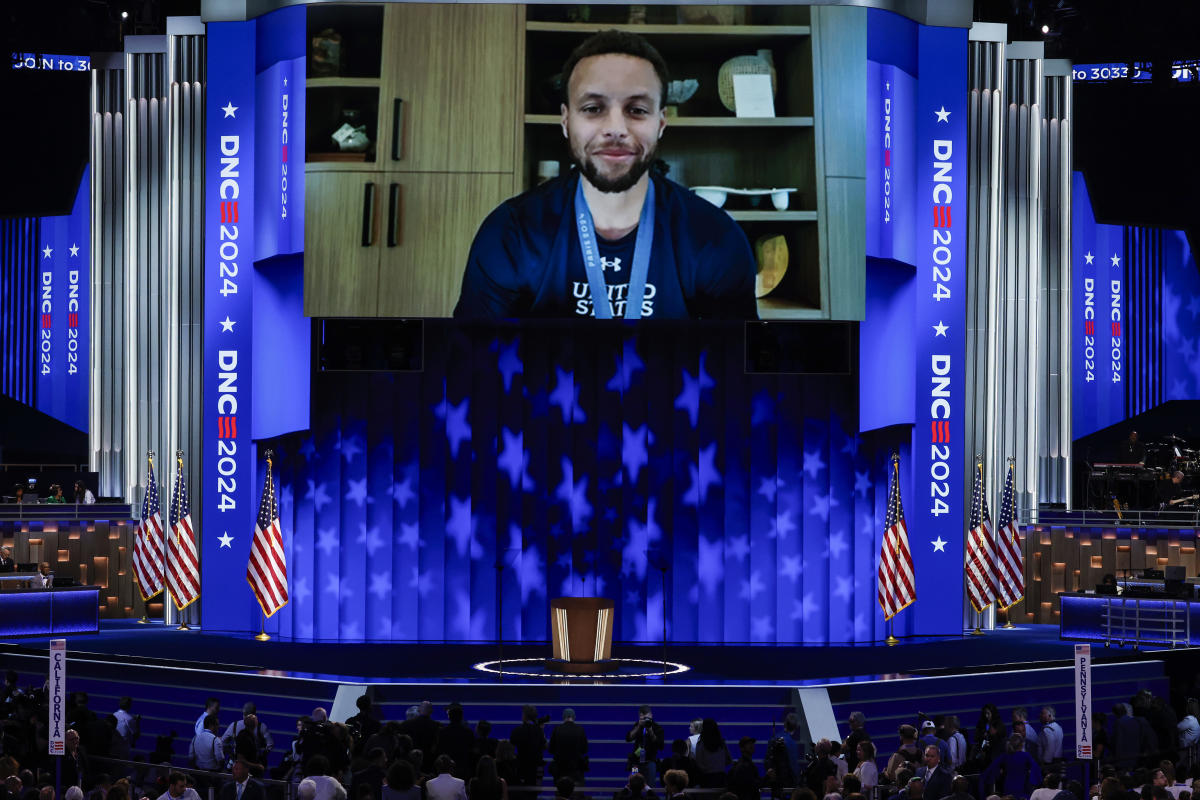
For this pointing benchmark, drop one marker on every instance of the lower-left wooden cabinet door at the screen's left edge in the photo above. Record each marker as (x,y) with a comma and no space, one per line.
(343,243)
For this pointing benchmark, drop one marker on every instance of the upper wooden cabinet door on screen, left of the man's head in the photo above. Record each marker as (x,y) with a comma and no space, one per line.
(452,88)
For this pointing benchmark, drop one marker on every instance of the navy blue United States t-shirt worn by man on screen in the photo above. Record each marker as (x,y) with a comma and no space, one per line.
(526,261)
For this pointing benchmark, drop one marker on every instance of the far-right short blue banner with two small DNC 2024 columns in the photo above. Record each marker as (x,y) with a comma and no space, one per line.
(1099,300)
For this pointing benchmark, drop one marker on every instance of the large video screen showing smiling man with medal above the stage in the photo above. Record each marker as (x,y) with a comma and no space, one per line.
(495,161)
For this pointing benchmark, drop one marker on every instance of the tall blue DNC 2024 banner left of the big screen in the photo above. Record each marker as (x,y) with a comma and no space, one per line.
(229,497)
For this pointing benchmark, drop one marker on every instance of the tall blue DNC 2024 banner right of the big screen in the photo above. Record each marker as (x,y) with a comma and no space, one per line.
(935,513)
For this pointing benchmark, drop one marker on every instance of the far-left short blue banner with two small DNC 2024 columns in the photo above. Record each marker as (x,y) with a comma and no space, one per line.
(63,312)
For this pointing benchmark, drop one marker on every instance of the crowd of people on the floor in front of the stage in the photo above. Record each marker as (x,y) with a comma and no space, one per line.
(1143,751)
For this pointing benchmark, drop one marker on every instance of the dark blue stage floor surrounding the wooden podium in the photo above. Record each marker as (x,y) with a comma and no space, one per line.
(1024,647)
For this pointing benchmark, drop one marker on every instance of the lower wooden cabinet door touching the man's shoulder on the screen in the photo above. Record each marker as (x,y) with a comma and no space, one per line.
(433,221)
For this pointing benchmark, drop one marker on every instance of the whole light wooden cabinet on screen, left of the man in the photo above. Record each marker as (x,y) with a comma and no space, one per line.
(443,113)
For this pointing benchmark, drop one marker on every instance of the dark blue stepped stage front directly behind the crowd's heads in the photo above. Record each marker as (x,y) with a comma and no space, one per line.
(171,697)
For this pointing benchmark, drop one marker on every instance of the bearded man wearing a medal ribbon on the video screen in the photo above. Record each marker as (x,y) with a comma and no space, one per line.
(611,239)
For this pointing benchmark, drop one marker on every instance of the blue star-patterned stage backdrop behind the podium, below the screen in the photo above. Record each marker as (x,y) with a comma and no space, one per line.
(586,462)
